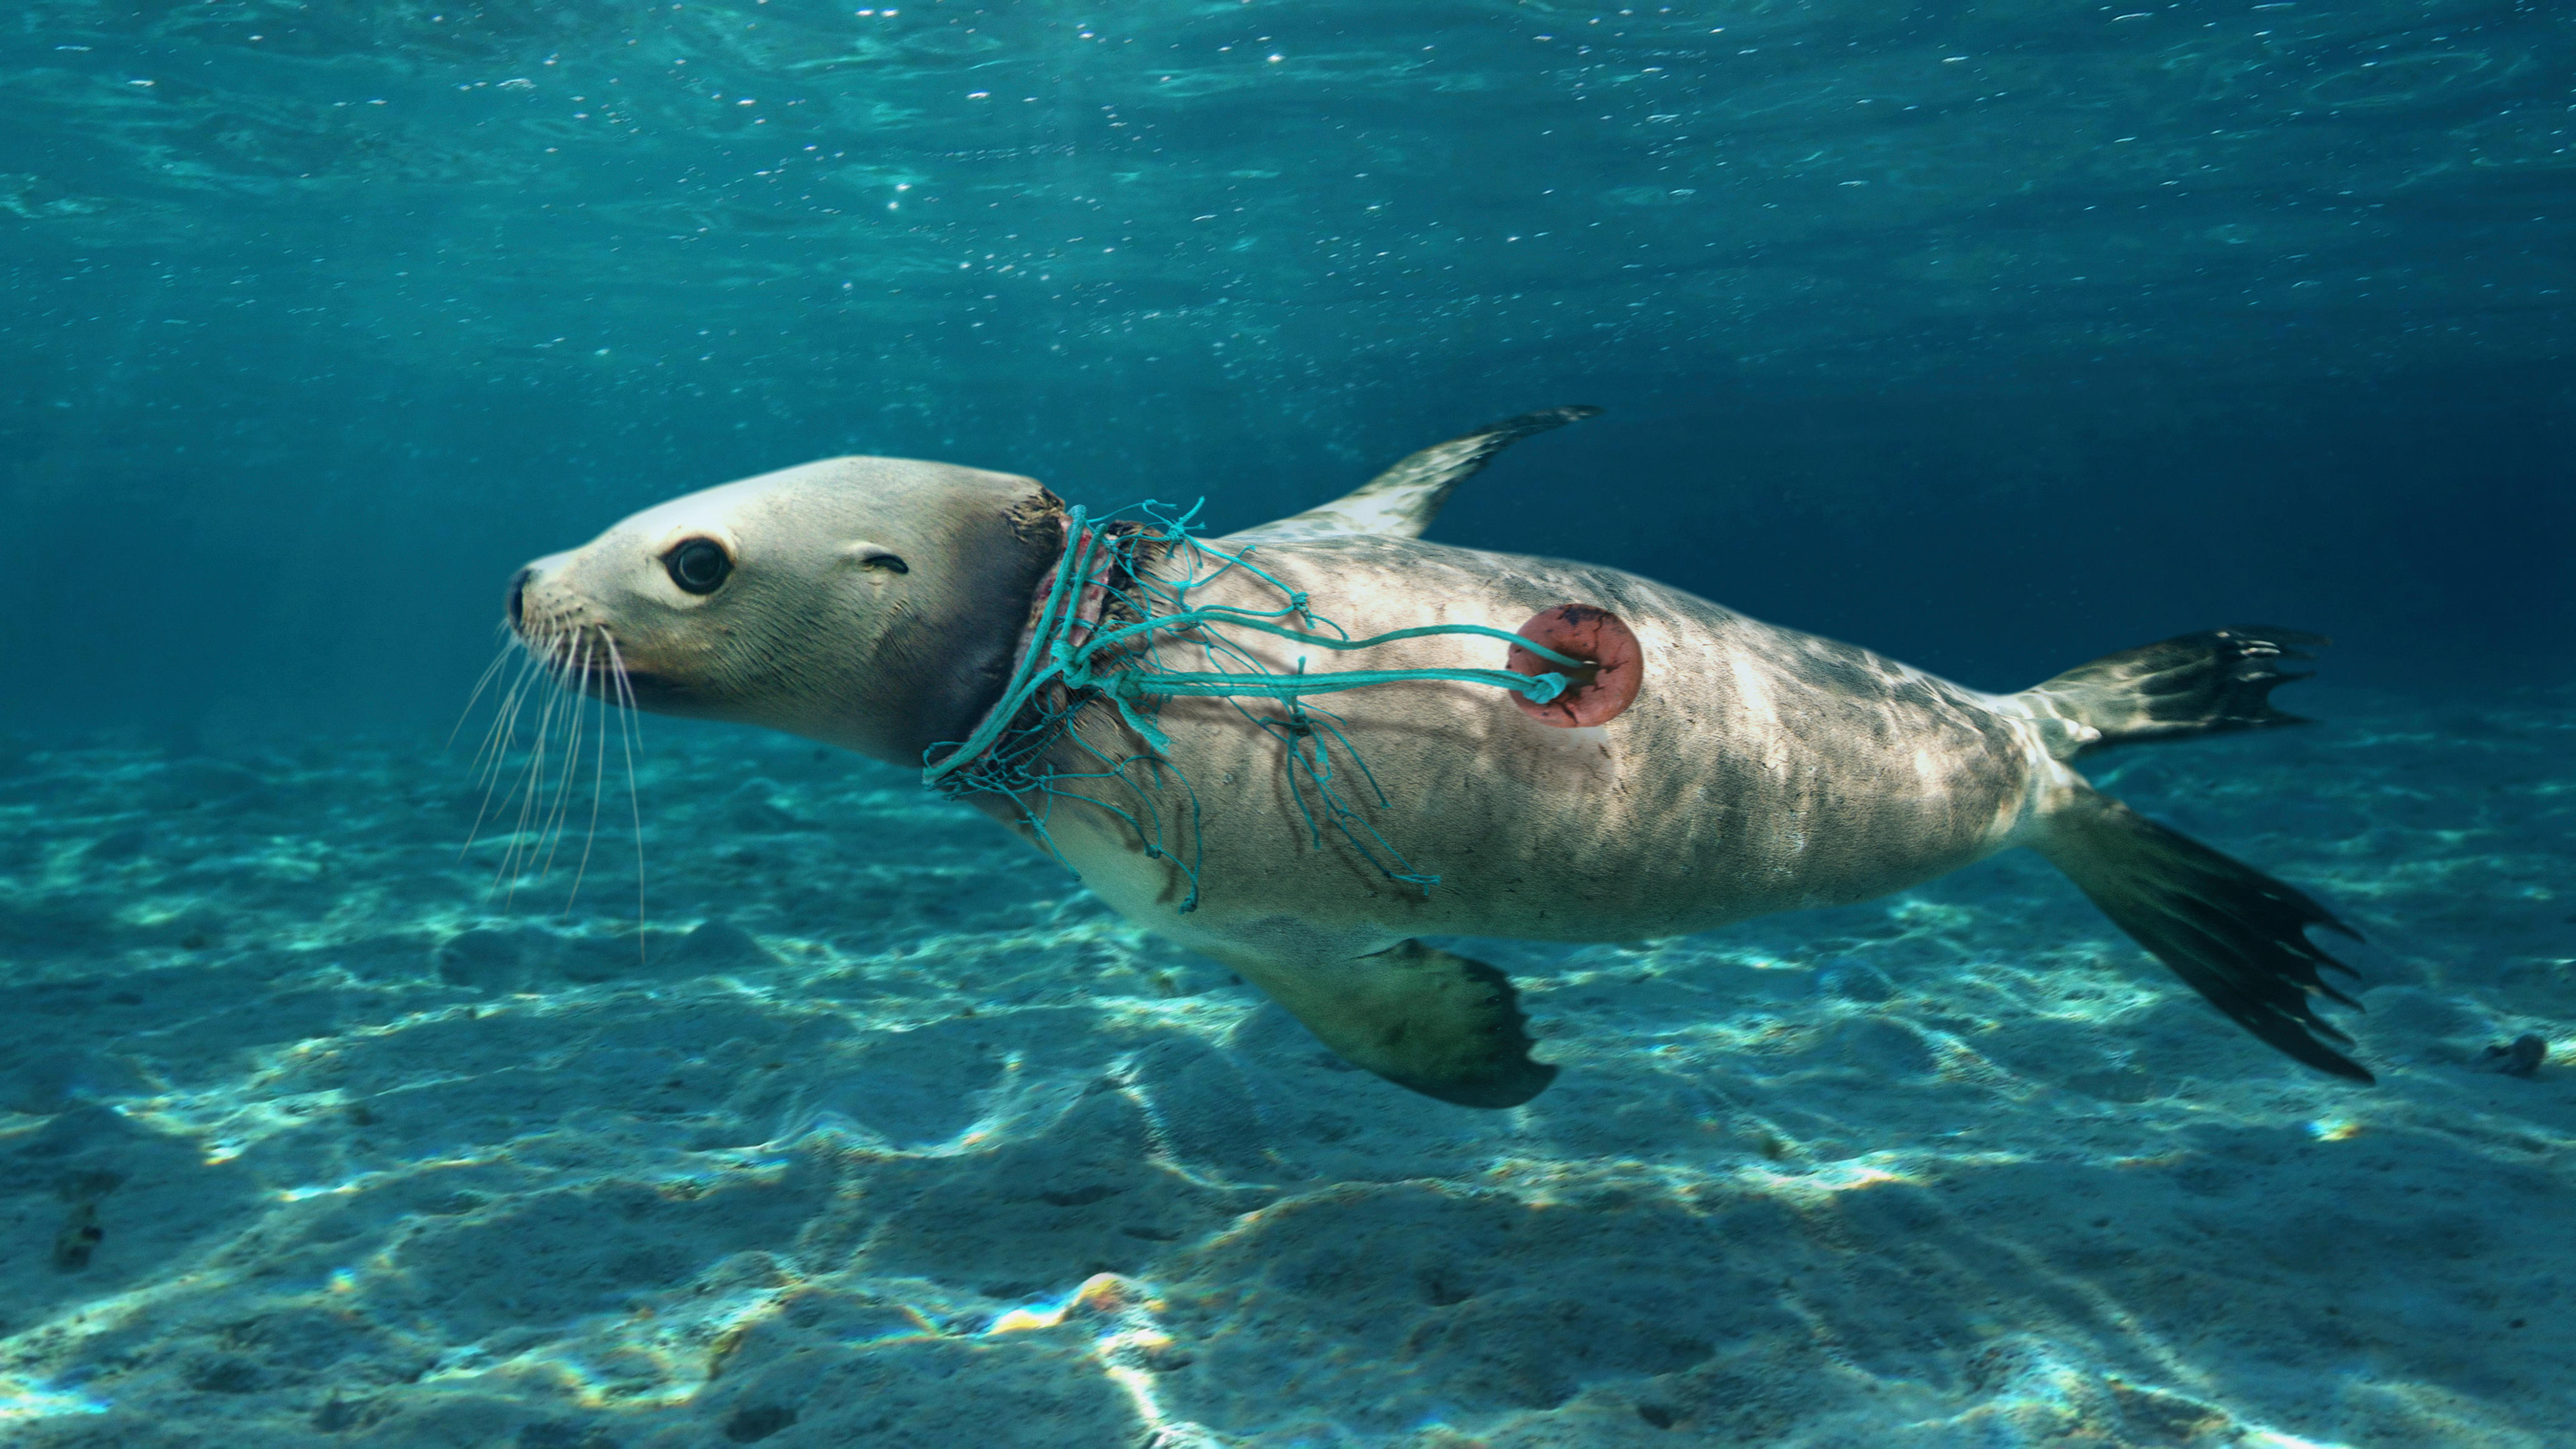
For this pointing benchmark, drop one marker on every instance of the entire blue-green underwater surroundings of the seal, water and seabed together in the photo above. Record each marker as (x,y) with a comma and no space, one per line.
(761,1098)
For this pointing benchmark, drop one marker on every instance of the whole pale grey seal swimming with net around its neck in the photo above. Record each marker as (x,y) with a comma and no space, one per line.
(1699,771)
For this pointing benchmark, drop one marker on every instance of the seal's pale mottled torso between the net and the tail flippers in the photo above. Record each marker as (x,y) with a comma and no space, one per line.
(1758,771)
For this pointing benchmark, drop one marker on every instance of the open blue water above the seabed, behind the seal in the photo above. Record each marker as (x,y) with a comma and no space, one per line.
(1987,336)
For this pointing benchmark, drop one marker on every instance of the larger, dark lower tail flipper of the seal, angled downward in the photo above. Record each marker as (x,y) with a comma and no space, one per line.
(2230,930)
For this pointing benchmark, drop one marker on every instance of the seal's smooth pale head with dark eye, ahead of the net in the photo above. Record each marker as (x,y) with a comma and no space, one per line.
(869,604)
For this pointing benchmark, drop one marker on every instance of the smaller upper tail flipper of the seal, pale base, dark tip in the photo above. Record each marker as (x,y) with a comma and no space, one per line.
(2178,688)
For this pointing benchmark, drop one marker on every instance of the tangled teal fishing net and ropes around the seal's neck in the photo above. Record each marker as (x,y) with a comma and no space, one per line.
(1130,655)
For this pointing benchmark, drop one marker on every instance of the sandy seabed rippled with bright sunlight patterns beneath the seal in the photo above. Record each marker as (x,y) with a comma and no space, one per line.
(887,1134)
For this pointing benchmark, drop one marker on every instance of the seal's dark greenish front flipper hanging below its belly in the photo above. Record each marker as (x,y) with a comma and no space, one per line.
(1416,1015)
